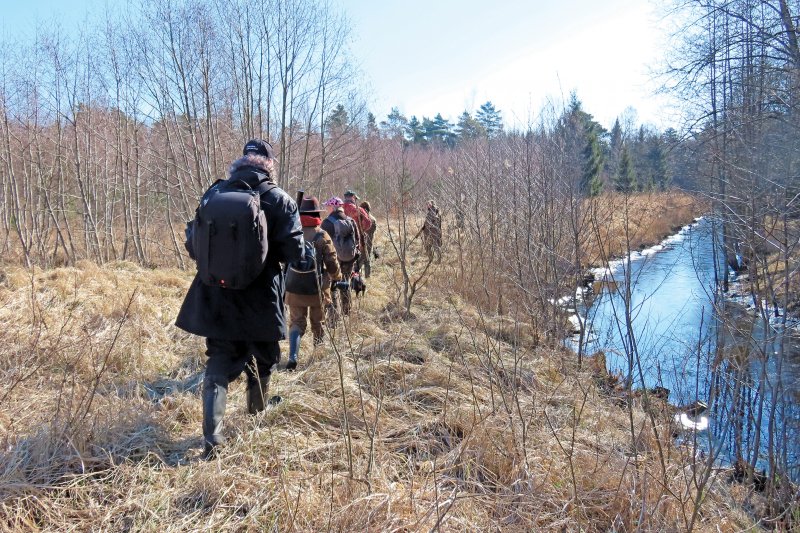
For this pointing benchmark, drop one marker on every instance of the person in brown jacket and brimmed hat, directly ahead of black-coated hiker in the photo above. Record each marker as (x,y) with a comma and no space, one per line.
(308,282)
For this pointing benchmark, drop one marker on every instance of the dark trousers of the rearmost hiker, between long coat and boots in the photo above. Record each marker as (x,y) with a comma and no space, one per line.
(228,359)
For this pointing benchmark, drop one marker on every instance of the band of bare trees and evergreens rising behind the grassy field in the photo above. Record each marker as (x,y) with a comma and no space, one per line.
(109,136)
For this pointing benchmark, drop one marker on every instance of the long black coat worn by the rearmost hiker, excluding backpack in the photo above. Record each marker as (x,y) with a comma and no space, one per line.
(255,313)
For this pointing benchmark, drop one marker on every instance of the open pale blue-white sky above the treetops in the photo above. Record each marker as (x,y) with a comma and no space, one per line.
(430,56)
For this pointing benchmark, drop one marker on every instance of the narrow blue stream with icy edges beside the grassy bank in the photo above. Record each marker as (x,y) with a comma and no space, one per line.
(745,368)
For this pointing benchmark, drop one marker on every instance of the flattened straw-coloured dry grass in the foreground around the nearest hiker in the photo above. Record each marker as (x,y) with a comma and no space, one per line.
(438,421)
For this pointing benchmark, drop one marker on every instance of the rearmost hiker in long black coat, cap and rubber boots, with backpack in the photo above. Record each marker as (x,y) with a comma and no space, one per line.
(242,321)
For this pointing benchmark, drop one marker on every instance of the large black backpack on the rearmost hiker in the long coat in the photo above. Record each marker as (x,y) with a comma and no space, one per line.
(229,234)
